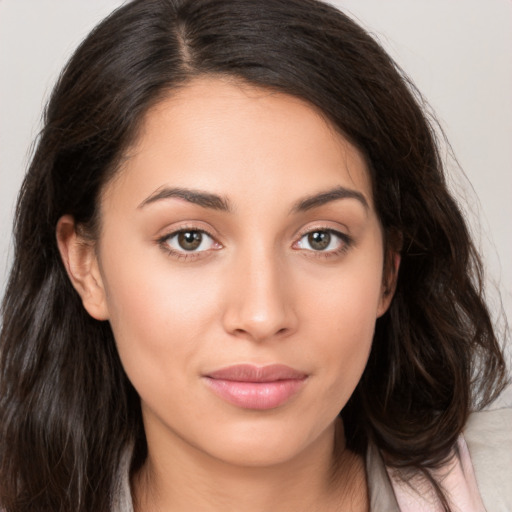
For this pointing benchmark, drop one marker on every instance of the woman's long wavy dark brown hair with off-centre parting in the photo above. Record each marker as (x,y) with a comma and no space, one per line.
(67,409)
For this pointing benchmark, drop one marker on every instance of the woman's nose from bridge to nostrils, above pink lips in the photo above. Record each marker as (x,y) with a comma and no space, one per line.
(259,304)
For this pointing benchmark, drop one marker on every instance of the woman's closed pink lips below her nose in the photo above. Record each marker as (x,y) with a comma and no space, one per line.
(253,387)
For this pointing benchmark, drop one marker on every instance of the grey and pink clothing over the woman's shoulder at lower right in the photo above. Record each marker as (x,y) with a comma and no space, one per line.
(478,478)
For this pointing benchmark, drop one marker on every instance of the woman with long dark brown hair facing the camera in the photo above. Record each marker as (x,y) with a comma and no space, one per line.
(234,227)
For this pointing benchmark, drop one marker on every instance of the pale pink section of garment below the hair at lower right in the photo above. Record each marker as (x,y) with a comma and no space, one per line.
(457,479)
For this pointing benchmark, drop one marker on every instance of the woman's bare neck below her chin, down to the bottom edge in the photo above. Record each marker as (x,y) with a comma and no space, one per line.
(326,477)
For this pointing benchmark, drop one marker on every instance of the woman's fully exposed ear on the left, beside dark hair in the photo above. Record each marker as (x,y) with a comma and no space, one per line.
(80,260)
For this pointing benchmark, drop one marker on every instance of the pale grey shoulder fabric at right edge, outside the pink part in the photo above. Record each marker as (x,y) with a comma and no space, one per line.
(488,435)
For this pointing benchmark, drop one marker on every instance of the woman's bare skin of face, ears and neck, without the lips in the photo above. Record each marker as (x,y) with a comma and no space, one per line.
(257,291)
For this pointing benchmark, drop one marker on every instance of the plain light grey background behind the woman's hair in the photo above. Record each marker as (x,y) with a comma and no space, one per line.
(457,53)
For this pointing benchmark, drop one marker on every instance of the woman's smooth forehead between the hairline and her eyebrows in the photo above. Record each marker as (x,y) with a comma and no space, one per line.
(229,137)
